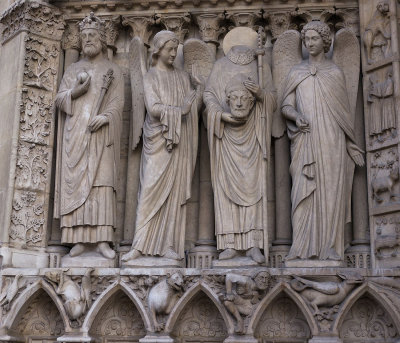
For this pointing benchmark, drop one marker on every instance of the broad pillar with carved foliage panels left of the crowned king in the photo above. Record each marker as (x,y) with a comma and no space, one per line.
(29,60)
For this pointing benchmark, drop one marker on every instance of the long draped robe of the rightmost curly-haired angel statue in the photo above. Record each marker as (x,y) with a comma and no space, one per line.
(321,168)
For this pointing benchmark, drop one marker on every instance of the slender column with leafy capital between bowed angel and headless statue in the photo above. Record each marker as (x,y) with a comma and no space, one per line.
(202,255)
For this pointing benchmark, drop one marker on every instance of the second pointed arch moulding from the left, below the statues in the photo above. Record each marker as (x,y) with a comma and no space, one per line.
(106,295)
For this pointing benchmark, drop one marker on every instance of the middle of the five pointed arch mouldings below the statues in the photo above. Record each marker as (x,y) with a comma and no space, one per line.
(191,294)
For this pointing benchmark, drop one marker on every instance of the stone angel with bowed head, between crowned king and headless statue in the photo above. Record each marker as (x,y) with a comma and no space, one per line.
(170,135)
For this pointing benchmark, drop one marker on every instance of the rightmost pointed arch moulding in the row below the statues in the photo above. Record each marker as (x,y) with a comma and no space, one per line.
(374,293)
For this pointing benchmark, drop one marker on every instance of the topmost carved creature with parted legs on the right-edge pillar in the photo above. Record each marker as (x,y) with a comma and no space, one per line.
(379,24)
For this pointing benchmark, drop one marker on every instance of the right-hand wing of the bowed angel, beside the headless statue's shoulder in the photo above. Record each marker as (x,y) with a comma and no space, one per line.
(197,53)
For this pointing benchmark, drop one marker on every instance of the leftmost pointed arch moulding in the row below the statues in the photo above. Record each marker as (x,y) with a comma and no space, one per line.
(25,298)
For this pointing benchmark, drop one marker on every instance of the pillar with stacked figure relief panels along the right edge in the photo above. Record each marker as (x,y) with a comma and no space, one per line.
(381,71)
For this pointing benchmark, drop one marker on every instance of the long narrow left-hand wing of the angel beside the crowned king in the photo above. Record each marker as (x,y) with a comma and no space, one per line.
(137,68)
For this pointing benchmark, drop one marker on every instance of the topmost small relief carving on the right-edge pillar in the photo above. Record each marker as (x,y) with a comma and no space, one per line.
(377,35)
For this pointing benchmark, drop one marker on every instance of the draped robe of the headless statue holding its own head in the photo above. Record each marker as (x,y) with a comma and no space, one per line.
(238,158)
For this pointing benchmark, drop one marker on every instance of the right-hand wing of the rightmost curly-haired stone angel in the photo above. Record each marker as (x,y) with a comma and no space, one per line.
(346,55)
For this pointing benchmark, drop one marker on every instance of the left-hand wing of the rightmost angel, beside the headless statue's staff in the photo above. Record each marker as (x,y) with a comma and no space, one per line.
(286,53)
